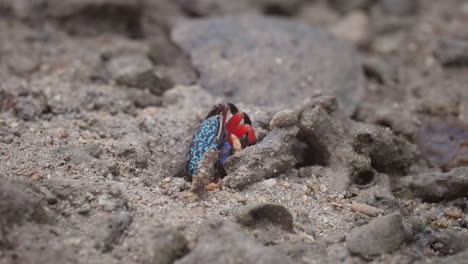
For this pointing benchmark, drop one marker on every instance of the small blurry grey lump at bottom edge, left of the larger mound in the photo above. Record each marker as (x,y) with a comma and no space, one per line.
(164,245)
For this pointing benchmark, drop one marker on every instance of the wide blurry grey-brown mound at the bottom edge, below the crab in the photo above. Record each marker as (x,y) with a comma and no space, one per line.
(224,242)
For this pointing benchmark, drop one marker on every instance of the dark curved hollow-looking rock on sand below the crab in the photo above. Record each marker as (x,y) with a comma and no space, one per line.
(271,213)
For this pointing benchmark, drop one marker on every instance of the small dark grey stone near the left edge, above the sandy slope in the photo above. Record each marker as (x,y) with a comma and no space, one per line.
(31,105)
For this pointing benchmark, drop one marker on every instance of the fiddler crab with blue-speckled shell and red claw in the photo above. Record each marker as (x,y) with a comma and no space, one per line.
(226,136)
